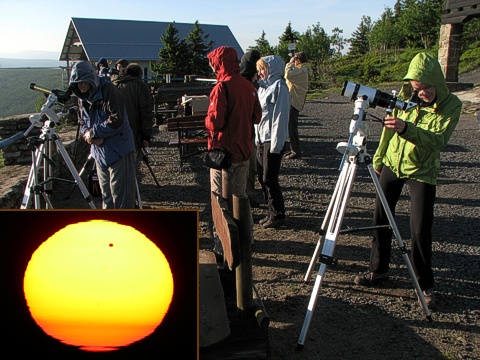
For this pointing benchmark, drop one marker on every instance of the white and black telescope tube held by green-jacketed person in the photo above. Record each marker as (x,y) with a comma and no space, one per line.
(378,98)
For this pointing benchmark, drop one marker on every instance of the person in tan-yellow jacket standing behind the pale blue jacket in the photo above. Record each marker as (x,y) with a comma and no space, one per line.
(297,73)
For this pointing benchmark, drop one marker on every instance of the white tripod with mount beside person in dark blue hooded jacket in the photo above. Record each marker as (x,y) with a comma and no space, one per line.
(42,150)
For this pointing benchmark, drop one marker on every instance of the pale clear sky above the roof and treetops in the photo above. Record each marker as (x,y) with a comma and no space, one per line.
(32,25)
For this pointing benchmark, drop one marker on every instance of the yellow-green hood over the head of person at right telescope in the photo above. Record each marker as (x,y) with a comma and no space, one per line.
(426,69)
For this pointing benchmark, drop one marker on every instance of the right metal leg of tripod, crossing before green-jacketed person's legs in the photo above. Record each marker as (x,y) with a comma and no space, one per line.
(400,243)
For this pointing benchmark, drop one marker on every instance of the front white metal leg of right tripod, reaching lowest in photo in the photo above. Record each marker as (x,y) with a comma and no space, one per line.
(335,216)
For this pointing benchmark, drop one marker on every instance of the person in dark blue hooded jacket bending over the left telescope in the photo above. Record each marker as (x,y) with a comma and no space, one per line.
(106,128)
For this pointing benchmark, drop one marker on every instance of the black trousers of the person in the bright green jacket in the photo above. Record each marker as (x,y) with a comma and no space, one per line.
(422,198)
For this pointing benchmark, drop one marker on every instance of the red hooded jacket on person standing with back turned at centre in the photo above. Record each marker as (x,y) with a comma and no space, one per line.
(239,100)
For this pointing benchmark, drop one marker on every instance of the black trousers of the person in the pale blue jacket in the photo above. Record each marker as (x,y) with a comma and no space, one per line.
(268,169)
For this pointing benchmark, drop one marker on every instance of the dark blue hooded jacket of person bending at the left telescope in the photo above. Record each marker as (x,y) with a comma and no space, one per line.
(103,112)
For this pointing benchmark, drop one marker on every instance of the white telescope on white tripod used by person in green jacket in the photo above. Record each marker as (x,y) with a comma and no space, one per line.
(354,153)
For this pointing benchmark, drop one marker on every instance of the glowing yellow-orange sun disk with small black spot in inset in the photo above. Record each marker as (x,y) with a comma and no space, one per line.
(98,285)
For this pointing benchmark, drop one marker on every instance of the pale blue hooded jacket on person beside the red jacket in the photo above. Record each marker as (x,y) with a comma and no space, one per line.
(275,101)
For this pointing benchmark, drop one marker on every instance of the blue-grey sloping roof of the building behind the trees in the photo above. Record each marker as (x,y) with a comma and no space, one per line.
(92,39)
